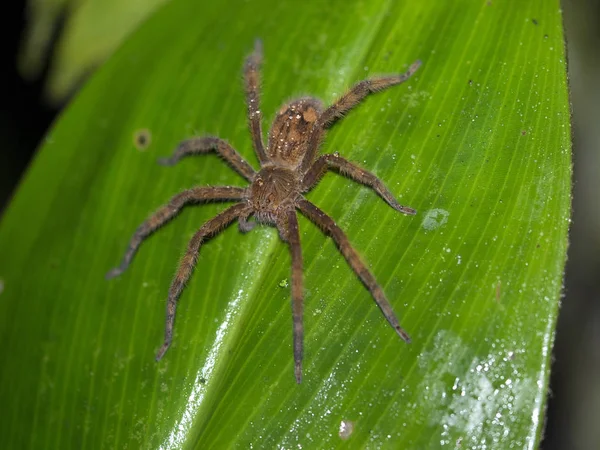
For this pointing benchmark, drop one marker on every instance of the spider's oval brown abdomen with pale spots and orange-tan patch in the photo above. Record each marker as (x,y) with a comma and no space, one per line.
(290,132)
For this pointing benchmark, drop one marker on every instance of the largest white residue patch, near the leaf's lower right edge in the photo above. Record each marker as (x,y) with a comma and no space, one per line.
(484,401)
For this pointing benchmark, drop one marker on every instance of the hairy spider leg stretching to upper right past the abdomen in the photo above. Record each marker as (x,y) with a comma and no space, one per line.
(346,102)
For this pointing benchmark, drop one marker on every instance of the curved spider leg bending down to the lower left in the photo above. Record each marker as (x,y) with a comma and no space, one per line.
(209,229)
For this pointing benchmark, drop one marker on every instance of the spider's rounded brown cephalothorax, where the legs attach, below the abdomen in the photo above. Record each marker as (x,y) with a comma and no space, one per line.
(273,190)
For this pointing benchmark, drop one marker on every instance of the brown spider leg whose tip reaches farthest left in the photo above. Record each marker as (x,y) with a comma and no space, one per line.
(167,212)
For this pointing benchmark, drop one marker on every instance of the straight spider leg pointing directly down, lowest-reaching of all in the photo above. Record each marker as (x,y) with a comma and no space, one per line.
(293,239)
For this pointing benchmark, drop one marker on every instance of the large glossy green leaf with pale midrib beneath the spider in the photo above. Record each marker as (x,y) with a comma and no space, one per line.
(478,141)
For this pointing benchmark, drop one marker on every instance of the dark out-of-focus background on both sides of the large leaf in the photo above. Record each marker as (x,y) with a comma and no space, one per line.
(573,417)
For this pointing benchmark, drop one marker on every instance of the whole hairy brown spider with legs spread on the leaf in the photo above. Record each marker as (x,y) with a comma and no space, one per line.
(289,168)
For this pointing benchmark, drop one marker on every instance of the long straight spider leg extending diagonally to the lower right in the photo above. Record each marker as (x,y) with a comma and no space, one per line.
(327,224)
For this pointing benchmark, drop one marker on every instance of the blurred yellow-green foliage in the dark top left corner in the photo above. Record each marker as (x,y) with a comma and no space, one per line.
(88,32)
